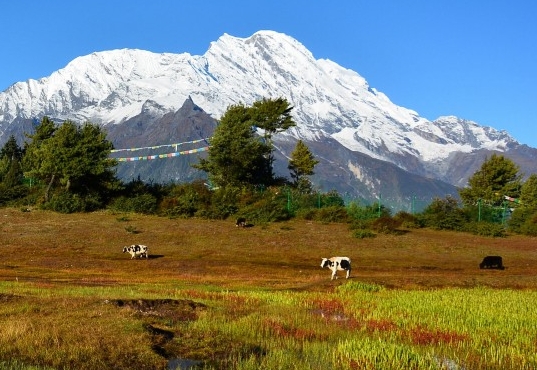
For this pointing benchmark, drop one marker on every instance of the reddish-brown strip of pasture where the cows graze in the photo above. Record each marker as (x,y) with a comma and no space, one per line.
(86,249)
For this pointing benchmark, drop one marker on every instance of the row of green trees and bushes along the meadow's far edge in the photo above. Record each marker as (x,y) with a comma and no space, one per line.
(67,168)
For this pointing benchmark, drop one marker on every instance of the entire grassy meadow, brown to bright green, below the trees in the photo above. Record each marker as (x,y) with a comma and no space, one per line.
(213,296)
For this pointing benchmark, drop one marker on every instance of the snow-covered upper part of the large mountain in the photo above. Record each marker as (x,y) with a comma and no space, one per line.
(333,106)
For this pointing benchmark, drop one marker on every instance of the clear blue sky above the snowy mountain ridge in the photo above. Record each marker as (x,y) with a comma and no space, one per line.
(475,59)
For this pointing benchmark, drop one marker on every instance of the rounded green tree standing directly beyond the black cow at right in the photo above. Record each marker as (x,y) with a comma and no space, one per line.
(498,177)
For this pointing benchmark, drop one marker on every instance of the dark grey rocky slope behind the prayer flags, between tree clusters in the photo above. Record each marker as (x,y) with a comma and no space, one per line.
(188,127)
